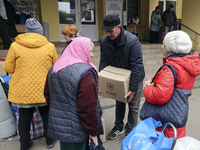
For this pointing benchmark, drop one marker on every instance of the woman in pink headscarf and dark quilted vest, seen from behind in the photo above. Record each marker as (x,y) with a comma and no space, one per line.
(71,89)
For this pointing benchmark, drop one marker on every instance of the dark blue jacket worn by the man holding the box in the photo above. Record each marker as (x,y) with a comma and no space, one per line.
(132,56)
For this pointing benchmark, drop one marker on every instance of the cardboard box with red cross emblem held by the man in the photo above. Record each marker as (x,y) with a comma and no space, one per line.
(114,82)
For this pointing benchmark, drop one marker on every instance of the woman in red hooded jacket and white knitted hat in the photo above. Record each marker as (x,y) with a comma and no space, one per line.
(176,48)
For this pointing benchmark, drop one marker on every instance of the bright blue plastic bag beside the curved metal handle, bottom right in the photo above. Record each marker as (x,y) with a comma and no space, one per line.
(144,136)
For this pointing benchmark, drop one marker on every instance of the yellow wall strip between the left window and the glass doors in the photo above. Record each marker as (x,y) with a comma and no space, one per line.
(49,14)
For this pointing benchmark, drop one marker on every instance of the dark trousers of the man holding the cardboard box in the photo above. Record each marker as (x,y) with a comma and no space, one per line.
(134,106)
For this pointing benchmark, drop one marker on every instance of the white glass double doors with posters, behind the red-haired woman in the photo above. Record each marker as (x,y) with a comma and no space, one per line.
(81,13)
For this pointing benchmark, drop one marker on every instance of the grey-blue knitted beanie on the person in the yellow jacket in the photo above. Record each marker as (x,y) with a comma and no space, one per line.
(33,26)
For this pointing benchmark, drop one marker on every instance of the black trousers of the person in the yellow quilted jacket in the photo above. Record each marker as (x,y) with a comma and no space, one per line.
(25,116)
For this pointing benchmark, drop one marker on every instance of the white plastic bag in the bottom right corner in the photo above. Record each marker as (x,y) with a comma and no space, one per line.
(187,143)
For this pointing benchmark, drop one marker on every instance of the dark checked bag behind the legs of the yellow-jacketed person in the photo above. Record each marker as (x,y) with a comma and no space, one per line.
(36,126)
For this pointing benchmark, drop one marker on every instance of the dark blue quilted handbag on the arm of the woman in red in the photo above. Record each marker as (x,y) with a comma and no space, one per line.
(174,111)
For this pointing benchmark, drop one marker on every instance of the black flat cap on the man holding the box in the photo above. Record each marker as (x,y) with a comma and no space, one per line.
(109,22)
